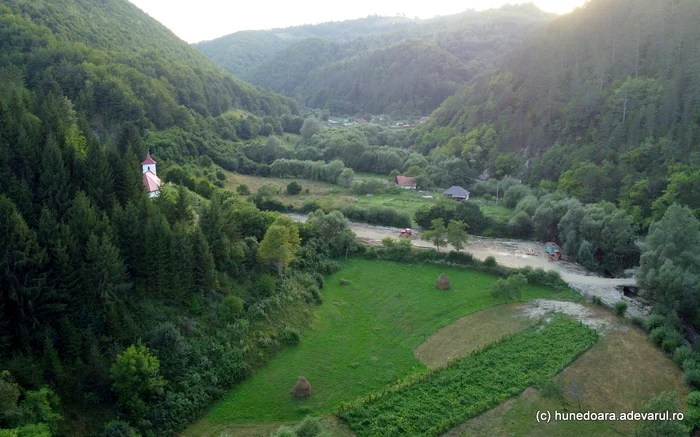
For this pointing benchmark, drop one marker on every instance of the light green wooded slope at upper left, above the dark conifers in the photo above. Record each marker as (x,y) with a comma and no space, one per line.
(129,59)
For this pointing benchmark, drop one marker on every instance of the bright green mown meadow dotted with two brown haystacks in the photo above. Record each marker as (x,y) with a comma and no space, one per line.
(361,339)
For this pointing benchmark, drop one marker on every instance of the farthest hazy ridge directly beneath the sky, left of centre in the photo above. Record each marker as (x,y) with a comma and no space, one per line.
(241,51)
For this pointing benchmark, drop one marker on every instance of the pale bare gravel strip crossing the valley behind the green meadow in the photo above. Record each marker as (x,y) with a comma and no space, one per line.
(516,254)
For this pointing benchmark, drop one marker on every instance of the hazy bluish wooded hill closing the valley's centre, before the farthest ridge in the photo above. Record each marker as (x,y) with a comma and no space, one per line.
(409,71)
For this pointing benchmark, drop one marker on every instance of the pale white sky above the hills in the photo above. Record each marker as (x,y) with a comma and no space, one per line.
(200,20)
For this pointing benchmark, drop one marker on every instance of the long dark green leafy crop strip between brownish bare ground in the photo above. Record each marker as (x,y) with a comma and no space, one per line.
(436,402)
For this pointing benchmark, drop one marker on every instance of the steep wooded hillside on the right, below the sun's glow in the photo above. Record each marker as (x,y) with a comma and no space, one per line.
(607,99)
